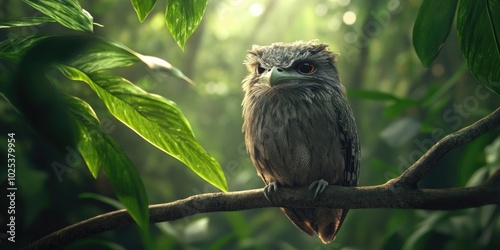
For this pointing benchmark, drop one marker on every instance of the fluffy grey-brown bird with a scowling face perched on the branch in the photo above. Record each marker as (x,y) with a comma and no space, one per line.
(299,128)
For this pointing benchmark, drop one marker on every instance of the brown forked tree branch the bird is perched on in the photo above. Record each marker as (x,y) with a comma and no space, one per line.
(396,193)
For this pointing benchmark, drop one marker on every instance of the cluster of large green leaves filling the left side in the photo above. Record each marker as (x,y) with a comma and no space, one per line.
(68,121)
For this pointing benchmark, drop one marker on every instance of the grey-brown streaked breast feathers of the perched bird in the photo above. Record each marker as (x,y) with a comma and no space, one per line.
(295,141)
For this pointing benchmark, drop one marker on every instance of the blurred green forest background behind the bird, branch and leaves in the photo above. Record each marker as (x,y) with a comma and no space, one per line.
(401,109)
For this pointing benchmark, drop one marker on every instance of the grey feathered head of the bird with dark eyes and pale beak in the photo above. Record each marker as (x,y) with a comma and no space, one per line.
(291,66)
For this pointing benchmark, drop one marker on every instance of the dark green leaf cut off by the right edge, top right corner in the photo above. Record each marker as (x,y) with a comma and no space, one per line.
(478,28)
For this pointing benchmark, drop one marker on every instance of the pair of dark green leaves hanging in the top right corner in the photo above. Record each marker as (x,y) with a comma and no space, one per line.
(478,31)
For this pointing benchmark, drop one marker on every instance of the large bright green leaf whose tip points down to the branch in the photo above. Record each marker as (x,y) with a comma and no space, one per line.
(157,120)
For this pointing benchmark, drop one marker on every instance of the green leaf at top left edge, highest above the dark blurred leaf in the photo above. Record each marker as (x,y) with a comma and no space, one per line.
(68,13)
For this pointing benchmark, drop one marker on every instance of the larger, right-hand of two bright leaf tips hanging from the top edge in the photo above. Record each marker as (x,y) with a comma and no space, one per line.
(183,17)
